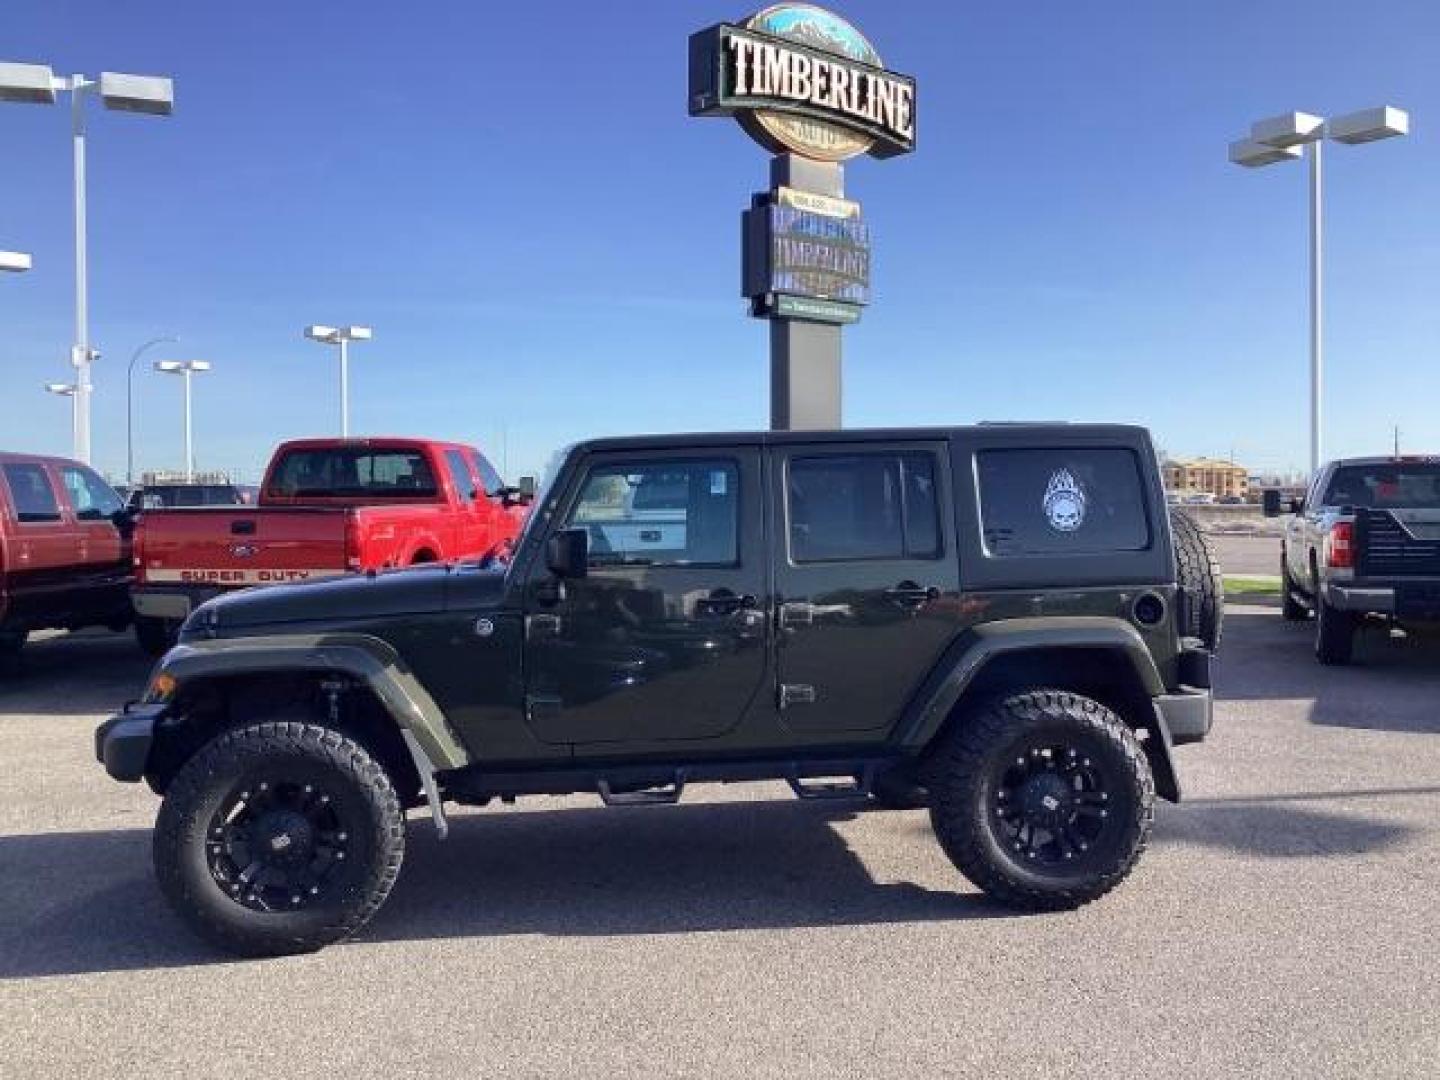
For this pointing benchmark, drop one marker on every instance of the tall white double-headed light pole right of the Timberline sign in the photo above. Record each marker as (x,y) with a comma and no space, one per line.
(1284,139)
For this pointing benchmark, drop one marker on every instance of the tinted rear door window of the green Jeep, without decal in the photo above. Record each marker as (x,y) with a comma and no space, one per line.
(863,506)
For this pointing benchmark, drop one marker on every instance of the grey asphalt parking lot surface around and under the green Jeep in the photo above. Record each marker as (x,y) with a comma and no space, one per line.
(1281,925)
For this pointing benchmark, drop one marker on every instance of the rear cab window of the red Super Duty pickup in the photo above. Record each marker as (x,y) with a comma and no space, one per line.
(349,472)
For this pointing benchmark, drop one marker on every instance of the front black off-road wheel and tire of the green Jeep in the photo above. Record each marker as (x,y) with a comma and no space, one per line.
(279,839)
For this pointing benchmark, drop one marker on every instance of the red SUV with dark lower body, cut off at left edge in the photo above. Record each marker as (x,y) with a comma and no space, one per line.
(64,549)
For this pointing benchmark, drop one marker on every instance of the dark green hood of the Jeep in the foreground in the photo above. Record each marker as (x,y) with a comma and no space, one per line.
(417,591)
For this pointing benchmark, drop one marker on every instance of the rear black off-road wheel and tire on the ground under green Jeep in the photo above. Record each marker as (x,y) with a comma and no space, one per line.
(1043,800)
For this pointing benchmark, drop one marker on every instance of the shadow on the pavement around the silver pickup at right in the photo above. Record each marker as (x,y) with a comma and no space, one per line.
(1393,686)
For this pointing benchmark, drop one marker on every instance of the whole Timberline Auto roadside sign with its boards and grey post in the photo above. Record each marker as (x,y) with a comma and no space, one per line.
(810,89)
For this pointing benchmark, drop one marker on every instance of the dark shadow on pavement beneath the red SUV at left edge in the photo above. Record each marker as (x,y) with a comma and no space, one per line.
(91,672)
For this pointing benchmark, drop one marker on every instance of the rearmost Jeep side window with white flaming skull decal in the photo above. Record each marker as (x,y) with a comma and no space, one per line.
(1062,502)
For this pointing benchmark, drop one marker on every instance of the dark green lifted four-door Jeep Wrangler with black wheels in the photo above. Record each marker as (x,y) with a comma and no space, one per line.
(1000,623)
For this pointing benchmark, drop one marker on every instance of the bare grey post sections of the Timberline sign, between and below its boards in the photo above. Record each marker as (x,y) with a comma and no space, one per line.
(806,382)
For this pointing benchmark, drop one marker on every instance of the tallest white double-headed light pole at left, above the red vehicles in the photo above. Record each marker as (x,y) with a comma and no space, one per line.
(38,86)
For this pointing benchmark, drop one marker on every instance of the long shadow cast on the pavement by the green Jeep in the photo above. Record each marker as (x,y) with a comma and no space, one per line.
(86,902)
